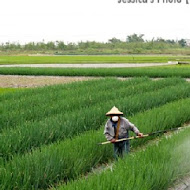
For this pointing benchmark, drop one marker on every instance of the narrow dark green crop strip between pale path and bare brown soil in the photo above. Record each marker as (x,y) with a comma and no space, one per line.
(165,71)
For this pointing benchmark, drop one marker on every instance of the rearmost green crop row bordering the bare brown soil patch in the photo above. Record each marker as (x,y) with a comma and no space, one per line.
(56,92)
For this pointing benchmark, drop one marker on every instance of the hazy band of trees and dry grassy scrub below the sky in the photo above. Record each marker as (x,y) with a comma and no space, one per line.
(134,44)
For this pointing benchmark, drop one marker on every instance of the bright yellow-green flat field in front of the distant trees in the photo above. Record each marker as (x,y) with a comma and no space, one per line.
(89,59)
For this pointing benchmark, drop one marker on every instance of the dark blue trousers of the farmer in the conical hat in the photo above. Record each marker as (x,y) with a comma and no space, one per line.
(121,148)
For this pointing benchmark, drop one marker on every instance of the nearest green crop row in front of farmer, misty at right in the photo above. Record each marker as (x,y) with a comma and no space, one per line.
(155,168)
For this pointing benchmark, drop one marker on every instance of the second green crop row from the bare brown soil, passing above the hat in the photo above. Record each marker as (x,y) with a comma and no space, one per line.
(18,112)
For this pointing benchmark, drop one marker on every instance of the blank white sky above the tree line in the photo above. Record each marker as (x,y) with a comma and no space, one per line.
(75,20)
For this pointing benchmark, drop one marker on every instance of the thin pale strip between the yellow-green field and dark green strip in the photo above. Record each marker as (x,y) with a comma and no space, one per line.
(100,65)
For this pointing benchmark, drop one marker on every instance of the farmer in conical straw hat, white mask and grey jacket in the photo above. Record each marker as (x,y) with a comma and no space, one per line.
(118,127)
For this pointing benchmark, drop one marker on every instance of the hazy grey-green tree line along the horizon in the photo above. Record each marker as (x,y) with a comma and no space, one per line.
(134,43)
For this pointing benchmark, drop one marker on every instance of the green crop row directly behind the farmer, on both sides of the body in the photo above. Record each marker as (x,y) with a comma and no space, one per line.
(70,158)
